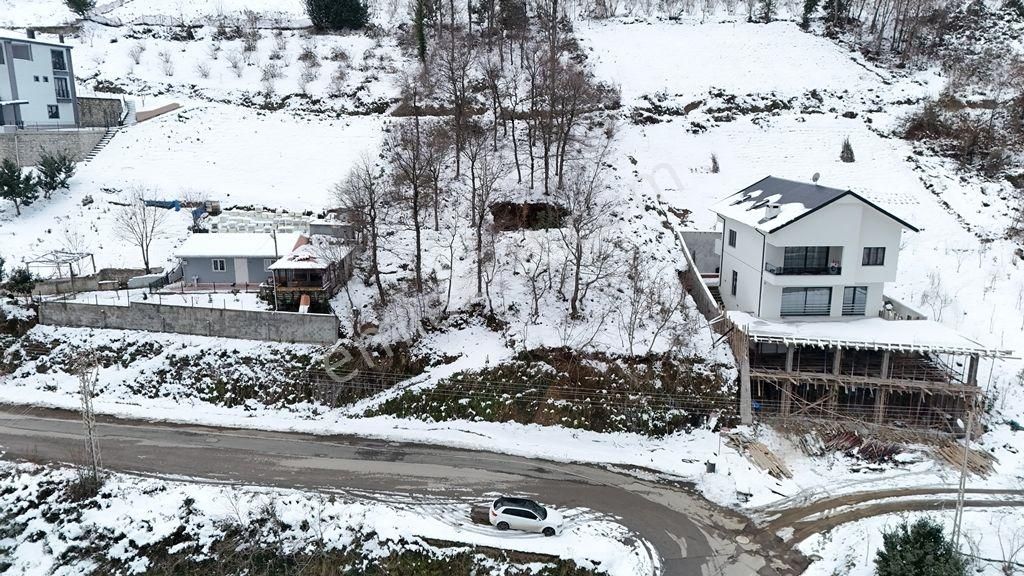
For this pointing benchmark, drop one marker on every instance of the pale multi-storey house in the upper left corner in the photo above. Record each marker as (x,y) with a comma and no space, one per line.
(37,84)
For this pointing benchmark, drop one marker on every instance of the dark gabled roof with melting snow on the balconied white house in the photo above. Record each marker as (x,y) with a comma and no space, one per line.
(795,200)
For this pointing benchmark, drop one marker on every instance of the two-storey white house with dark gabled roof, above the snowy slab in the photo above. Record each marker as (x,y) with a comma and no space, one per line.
(798,250)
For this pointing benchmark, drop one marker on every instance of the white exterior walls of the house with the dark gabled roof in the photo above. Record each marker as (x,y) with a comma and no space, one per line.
(847,223)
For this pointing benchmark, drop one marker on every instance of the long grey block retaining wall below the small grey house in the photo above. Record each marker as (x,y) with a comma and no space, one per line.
(254,325)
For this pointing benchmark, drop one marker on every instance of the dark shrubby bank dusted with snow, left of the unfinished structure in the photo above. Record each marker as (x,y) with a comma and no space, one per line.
(600,393)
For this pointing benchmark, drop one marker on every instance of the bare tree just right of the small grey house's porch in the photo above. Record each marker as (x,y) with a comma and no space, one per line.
(362,195)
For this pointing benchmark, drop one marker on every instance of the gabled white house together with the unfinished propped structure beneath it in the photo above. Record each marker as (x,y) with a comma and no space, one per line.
(873,359)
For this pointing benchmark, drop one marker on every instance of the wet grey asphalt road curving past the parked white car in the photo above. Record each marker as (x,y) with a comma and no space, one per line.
(693,537)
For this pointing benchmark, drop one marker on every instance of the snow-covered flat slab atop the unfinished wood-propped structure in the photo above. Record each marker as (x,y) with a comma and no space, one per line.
(867,334)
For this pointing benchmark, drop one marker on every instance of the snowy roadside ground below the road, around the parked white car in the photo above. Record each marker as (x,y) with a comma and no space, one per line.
(133,514)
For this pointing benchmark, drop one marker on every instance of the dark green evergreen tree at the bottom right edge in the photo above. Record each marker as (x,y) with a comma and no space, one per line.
(919,550)
